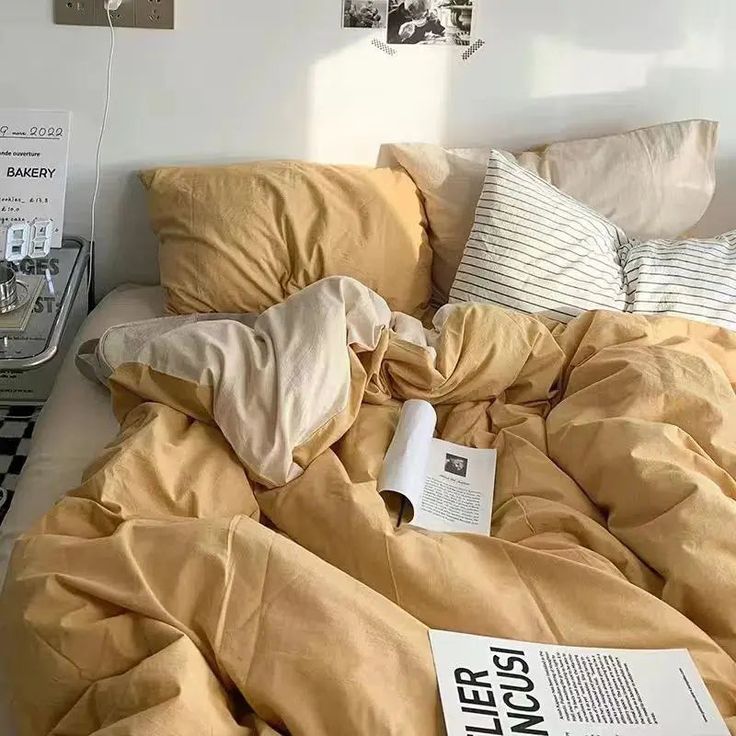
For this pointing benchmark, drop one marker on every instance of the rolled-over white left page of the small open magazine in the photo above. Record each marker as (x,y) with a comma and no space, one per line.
(404,467)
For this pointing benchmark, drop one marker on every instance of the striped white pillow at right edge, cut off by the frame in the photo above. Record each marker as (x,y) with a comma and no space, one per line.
(695,279)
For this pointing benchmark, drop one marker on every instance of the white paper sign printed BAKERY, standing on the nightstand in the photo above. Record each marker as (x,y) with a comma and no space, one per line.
(34,151)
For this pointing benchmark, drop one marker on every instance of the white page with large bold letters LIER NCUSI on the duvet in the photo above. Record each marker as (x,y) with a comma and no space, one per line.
(497,686)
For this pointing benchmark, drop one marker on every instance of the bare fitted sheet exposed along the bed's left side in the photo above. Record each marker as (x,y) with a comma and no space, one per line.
(75,425)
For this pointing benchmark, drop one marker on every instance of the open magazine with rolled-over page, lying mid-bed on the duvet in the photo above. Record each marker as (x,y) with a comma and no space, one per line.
(442,486)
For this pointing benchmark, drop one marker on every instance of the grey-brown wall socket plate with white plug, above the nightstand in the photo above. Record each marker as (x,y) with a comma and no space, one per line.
(131,14)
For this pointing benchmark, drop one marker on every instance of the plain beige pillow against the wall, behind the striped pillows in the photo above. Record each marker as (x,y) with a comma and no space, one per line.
(653,183)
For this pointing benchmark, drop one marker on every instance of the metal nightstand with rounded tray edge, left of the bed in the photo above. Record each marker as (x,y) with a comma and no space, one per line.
(64,299)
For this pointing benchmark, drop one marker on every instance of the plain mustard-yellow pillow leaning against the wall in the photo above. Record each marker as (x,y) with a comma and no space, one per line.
(243,238)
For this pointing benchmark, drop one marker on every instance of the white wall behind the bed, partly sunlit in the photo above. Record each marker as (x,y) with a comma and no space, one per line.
(241,79)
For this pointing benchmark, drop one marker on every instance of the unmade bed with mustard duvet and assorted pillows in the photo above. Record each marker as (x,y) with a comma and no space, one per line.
(226,565)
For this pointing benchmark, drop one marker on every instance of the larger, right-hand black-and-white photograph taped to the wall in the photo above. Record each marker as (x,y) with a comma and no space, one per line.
(430,22)
